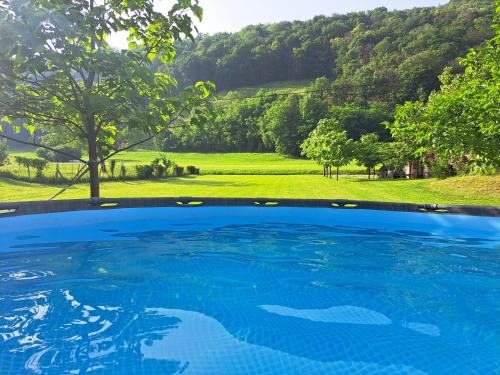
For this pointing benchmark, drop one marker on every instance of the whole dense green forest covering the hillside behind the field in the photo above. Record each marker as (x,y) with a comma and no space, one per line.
(361,67)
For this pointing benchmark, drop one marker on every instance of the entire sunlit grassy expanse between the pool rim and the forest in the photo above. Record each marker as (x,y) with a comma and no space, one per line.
(254,175)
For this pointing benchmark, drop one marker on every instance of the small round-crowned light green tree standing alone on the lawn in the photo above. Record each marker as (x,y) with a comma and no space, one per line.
(329,146)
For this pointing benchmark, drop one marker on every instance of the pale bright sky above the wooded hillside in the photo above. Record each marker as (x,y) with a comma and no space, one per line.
(233,15)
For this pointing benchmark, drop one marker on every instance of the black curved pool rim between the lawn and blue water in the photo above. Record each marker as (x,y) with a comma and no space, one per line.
(45,207)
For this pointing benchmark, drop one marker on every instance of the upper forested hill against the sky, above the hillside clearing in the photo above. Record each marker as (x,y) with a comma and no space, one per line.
(390,56)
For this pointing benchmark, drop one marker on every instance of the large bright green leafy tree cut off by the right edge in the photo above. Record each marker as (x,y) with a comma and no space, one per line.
(461,120)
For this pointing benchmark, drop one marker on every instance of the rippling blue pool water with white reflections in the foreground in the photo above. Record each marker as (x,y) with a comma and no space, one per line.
(249,290)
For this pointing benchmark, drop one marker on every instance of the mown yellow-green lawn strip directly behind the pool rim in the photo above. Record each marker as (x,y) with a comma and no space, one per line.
(461,190)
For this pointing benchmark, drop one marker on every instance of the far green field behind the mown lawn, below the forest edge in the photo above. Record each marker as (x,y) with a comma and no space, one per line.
(232,163)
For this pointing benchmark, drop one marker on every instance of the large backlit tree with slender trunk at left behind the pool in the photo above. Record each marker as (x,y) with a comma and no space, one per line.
(59,73)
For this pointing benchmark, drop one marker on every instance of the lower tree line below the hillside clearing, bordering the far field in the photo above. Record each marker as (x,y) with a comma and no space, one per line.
(271,123)
